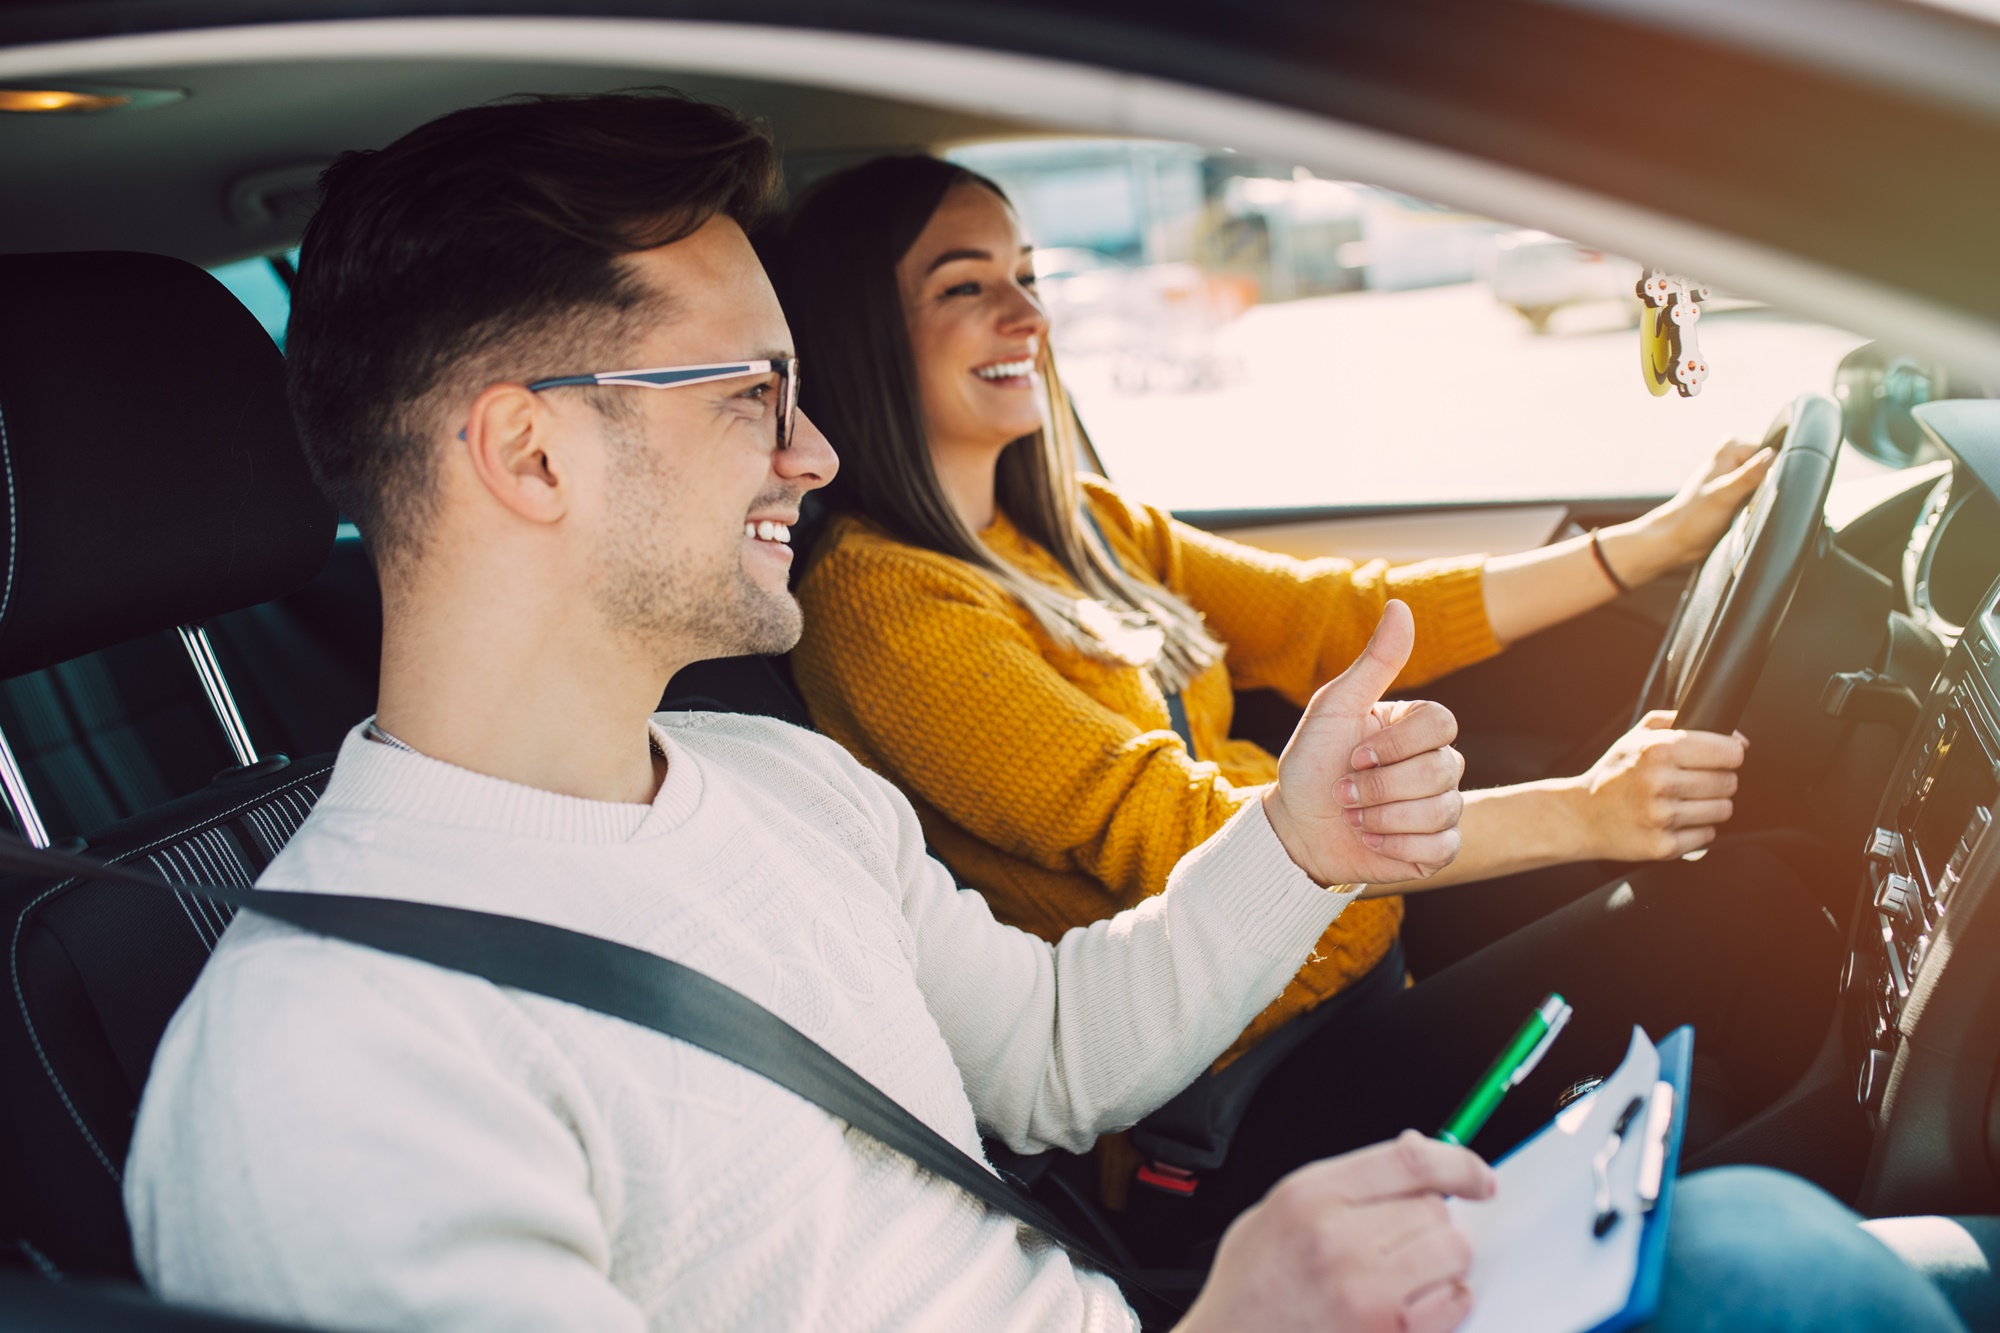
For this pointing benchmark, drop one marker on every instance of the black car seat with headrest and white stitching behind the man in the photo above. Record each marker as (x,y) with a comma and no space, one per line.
(151,481)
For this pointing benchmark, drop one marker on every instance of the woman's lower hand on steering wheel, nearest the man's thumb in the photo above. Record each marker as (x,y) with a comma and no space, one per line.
(1657,794)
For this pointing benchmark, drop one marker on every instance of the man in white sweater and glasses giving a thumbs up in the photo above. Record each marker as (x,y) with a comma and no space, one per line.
(355,1140)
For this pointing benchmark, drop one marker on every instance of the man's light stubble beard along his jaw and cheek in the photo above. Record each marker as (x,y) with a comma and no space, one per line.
(679,607)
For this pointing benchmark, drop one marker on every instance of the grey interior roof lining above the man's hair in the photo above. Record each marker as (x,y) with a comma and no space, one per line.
(177,183)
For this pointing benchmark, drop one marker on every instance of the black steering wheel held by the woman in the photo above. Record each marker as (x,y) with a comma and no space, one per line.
(1731,613)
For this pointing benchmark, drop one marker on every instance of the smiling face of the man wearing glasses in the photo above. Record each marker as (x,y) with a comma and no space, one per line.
(697,503)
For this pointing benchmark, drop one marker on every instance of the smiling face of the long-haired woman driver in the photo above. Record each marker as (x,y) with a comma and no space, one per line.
(975,323)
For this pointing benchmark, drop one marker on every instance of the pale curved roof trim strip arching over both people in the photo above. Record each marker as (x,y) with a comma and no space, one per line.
(1069,97)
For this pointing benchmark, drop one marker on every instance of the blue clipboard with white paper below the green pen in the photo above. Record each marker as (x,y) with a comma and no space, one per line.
(1541,1264)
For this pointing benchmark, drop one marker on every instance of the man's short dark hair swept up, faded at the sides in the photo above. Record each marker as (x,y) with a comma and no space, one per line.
(485,247)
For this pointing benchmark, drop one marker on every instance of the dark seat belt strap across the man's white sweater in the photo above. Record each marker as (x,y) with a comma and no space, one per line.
(639,988)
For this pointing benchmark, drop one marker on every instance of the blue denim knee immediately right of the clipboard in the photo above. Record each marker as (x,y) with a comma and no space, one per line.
(1761,1252)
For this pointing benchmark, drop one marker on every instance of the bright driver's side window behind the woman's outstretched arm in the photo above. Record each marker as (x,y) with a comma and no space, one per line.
(1245,335)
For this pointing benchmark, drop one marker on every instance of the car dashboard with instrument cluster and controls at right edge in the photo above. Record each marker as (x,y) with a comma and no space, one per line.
(1921,988)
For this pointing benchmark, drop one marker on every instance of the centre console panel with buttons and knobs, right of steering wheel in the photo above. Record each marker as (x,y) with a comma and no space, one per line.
(1933,834)
